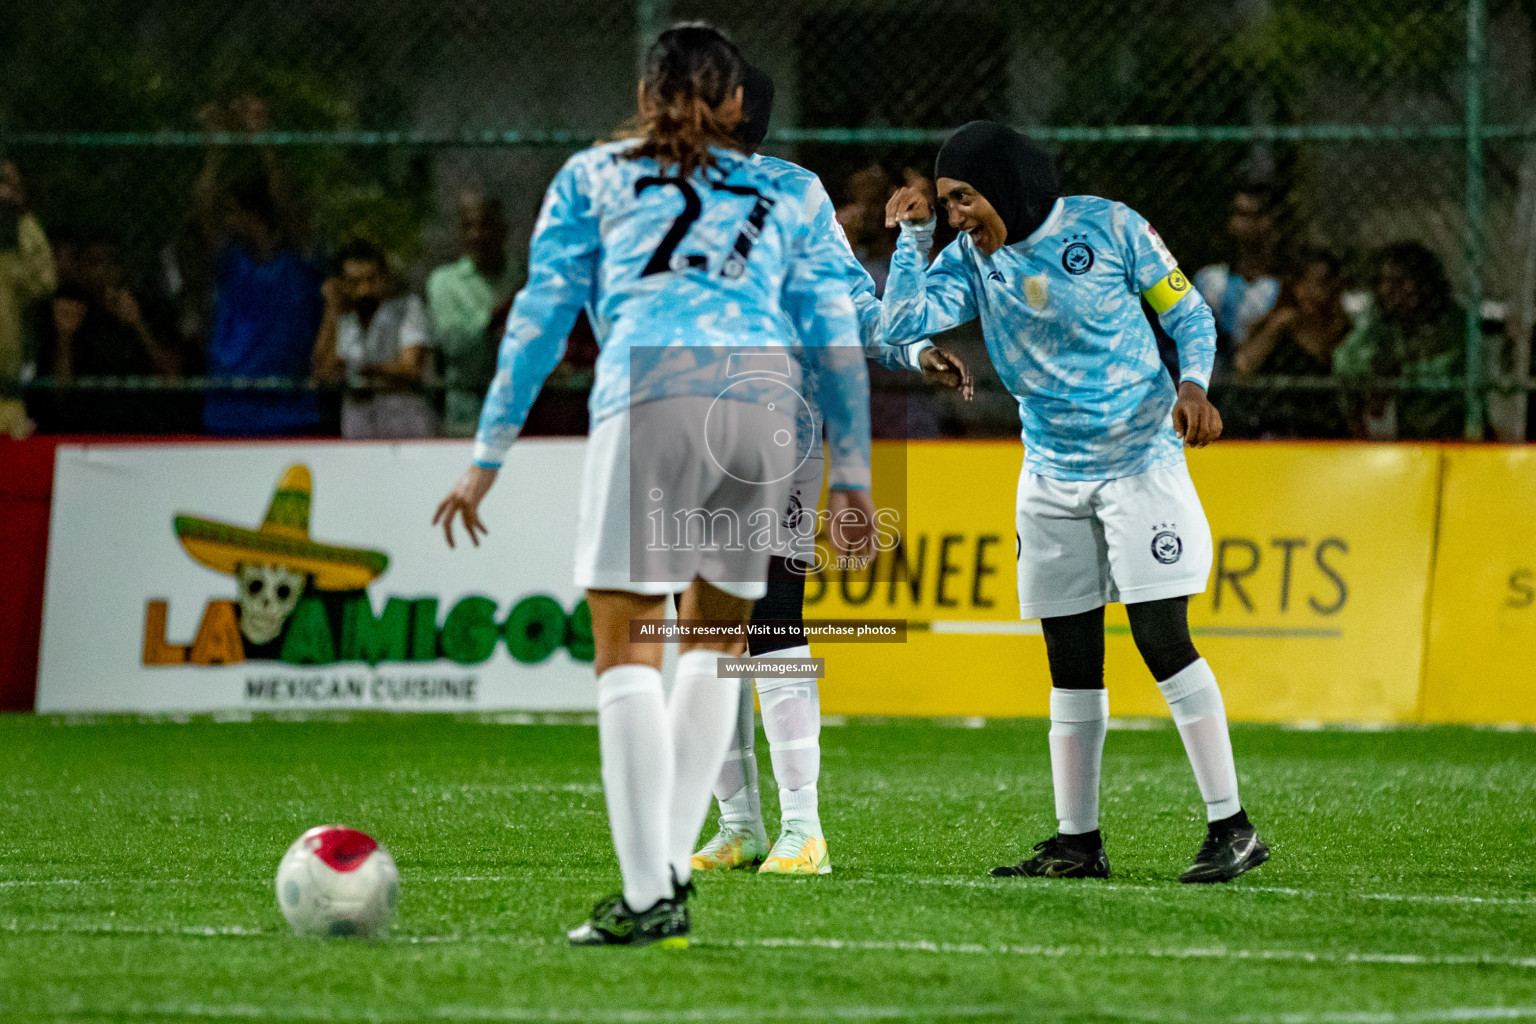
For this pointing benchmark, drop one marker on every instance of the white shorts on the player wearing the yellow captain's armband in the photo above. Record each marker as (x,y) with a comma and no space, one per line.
(1084,544)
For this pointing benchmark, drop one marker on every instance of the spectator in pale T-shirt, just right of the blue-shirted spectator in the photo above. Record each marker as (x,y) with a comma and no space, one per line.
(376,340)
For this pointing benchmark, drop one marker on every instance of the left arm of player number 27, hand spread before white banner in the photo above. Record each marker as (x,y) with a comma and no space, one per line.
(563,266)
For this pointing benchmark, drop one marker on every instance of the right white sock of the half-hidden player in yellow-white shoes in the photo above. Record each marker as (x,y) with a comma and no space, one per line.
(793,725)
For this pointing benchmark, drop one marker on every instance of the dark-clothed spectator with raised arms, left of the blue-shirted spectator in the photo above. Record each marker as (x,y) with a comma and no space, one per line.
(99,329)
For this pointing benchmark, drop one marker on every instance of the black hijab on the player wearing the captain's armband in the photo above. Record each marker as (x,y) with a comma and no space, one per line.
(1010,171)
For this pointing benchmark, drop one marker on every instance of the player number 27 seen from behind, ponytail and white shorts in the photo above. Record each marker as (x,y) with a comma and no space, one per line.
(700,280)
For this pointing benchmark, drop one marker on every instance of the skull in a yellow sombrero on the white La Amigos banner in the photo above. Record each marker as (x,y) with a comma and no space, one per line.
(277,561)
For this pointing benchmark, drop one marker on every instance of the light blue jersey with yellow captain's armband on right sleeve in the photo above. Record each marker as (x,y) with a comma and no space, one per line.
(1064,325)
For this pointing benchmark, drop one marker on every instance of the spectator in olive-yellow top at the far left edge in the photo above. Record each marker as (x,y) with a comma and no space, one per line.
(27,274)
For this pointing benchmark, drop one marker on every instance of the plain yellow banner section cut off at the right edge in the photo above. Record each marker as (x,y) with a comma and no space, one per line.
(1481,664)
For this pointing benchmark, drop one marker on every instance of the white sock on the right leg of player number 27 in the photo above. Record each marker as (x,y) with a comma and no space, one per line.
(703,713)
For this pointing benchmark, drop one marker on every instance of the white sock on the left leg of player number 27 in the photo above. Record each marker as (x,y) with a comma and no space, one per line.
(635,739)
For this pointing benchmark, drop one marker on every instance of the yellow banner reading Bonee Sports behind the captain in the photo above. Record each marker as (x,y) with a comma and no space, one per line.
(1316,609)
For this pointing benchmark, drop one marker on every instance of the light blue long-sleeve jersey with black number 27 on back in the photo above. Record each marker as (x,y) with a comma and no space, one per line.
(675,274)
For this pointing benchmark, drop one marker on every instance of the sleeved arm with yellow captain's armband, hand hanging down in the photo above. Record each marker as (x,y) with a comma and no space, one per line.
(1154,274)
